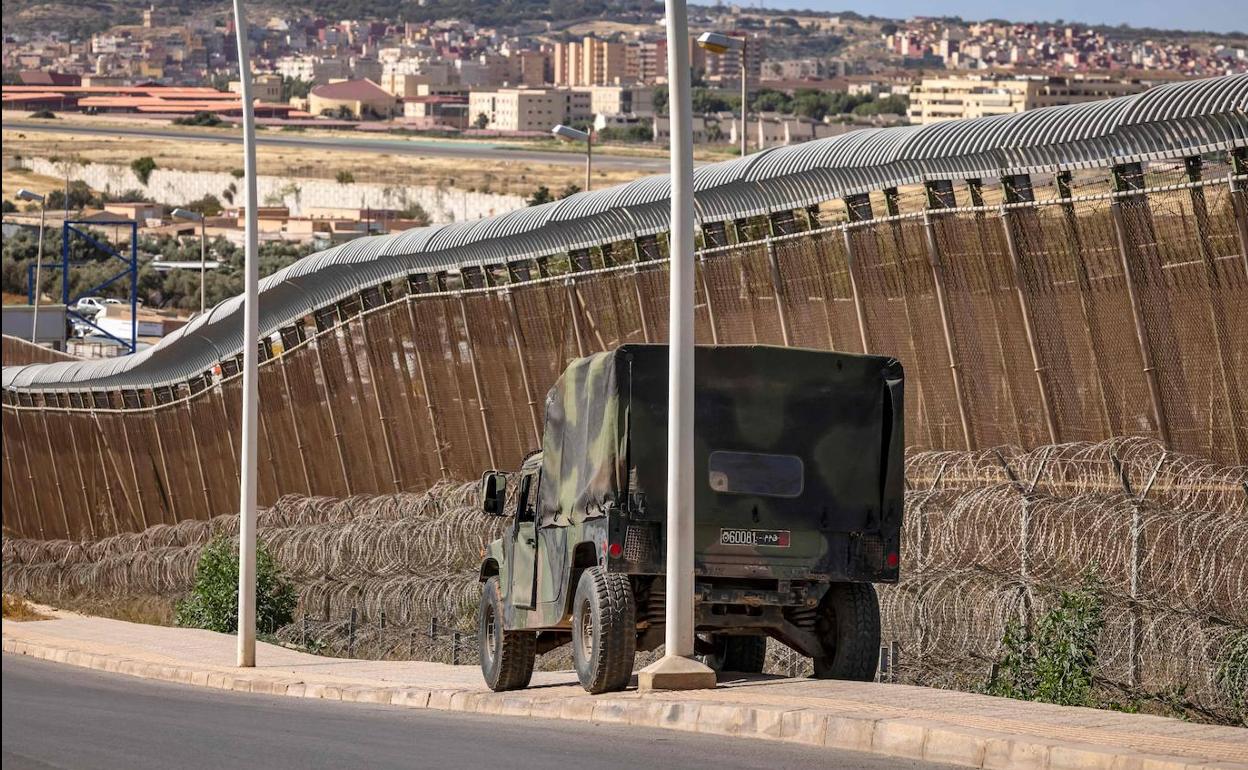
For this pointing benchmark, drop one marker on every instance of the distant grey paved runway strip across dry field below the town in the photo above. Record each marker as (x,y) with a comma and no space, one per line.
(424,148)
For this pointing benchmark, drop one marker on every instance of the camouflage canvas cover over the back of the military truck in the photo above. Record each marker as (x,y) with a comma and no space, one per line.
(833,421)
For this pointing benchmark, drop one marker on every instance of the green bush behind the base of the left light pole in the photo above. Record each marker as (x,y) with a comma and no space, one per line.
(214,602)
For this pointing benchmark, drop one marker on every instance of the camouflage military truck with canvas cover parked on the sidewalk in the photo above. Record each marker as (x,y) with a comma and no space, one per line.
(798,466)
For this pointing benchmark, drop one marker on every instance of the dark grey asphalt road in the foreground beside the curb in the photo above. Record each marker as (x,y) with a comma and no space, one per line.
(61,717)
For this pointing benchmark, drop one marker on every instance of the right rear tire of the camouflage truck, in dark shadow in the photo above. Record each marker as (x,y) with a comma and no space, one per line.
(849,630)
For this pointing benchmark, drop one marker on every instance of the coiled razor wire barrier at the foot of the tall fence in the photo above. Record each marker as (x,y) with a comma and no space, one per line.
(990,537)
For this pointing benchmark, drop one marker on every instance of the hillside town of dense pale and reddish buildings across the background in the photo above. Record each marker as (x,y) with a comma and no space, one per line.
(452,76)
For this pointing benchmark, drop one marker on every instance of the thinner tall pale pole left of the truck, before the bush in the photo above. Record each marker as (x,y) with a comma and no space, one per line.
(250,364)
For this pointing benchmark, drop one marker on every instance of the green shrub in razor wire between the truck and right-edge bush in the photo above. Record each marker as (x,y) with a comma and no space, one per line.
(1054,663)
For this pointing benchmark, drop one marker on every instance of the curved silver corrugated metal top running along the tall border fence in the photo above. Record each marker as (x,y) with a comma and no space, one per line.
(1169,122)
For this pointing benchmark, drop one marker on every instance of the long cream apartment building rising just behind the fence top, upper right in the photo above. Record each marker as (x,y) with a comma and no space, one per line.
(939,99)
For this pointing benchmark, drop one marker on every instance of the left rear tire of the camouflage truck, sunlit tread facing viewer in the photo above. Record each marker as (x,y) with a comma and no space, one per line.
(603,631)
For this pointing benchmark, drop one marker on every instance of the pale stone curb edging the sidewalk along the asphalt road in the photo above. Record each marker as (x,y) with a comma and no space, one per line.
(898,737)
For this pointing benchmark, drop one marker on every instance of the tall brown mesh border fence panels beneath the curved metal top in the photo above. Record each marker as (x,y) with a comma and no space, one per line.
(1028,313)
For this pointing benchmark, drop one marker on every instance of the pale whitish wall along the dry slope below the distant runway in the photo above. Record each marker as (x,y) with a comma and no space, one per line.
(179,188)
